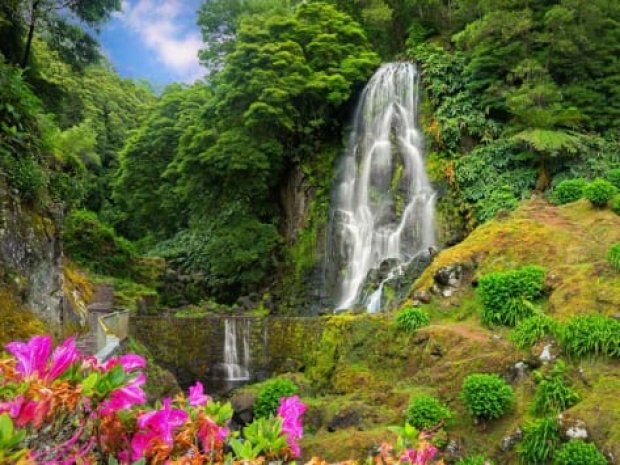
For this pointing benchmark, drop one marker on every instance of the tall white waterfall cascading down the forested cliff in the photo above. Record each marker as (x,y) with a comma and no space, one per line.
(384,204)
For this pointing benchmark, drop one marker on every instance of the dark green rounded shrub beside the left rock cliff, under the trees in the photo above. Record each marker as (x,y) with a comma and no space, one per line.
(96,246)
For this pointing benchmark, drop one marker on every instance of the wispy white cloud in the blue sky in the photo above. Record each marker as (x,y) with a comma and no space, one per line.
(160,24)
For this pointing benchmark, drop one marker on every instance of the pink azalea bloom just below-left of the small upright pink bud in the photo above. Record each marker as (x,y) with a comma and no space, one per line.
(159,425)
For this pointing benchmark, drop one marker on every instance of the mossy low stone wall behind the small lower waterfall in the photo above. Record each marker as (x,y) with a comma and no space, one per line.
(193,348)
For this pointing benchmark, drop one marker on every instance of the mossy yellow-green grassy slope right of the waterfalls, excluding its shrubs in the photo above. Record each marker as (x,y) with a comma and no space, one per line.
(369,363)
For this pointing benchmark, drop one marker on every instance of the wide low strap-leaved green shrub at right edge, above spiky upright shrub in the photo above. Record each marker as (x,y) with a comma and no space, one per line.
(594,334)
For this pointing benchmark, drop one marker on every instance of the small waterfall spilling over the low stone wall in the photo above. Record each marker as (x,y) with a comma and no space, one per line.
(236,369)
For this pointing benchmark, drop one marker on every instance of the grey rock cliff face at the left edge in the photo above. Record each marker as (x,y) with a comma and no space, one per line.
(31,257)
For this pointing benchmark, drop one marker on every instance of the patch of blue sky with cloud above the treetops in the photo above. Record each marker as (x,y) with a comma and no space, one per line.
(155,39)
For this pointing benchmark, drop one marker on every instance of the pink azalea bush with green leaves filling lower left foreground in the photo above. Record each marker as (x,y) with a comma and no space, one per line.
(68,409)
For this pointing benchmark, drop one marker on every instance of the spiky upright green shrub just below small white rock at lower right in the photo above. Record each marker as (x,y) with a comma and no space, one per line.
(552,395)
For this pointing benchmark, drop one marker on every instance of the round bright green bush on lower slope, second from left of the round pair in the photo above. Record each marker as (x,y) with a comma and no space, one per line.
(486,396)
